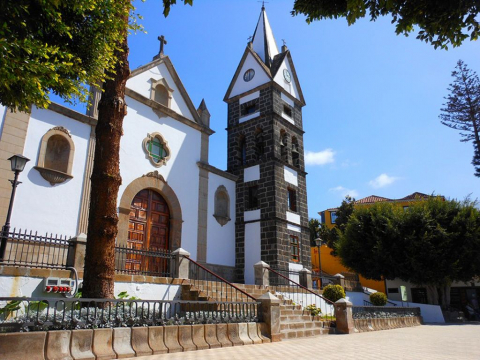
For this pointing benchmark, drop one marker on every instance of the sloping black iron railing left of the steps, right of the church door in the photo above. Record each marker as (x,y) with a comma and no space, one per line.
(212,287)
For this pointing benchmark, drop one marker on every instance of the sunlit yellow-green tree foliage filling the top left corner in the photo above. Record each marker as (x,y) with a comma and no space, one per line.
(56,46)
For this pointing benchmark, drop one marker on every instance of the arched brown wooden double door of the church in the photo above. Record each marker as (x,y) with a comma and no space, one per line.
(148,233)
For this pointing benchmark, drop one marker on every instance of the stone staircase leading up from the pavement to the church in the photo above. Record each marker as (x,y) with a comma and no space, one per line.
(294,321)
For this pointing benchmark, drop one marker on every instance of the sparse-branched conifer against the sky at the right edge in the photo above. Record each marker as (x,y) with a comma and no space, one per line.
(462,110)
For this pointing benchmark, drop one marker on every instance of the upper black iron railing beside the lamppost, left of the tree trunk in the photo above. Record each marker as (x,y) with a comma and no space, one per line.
(30,249)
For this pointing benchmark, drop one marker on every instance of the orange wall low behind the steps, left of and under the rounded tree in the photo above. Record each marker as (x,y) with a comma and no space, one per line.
(331,265)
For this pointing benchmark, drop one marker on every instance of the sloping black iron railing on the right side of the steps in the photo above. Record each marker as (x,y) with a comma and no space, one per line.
(300,295)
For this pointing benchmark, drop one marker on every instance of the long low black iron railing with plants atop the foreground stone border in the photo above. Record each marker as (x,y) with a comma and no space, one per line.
(37,314)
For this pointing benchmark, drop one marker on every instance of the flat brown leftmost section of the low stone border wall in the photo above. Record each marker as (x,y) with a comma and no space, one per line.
(21,346)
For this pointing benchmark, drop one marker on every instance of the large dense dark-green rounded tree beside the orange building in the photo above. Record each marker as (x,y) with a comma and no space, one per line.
(433,244)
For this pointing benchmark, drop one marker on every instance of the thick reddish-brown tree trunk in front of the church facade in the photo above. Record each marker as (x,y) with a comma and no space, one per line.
(102,221)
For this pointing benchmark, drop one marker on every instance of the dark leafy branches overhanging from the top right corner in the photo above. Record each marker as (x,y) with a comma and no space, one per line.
(440,22)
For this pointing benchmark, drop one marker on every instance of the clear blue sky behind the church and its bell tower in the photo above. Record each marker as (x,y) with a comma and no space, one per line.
(373,98)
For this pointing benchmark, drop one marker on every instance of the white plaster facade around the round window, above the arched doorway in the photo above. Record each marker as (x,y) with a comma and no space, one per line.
(181,171)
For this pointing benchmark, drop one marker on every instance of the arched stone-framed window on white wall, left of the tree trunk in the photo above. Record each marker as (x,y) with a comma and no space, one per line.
(55,160)
